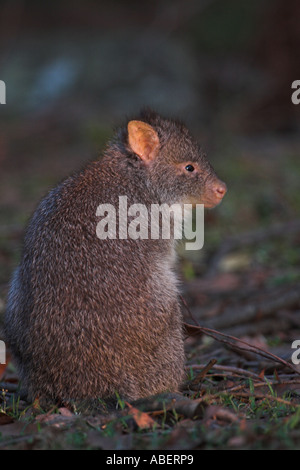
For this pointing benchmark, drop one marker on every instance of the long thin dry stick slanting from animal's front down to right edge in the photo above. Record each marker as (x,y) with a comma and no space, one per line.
(250,348)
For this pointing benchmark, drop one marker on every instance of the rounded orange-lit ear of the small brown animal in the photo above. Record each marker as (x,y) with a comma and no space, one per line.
(143,140)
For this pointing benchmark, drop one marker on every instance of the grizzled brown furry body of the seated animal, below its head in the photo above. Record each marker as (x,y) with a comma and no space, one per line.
(79,302)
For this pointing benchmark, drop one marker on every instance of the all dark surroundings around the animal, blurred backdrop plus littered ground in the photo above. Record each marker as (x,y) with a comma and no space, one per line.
(73,71)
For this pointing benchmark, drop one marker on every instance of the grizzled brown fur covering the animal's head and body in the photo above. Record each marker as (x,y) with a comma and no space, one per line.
(87,318)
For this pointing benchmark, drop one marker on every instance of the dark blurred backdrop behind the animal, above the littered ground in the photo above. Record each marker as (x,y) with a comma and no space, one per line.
(73,70)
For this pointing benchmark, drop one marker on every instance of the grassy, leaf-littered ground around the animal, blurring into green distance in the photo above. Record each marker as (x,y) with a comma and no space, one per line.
(234,398)
